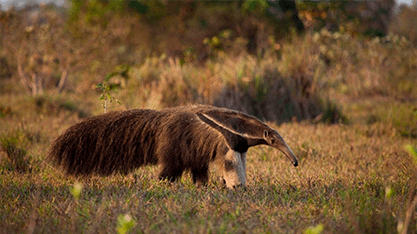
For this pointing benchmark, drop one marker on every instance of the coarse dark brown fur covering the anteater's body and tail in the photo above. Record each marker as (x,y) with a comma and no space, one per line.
(179,139)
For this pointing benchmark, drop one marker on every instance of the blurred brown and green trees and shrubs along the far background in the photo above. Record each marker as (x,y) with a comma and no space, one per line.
(94,36)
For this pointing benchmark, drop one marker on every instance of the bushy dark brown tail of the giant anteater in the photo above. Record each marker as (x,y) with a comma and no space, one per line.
(105,144)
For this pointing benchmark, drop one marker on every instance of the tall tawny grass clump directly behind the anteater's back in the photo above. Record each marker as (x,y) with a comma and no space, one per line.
(242,82)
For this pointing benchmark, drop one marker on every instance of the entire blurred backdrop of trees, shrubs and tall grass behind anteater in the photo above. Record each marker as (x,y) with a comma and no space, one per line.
(277,60)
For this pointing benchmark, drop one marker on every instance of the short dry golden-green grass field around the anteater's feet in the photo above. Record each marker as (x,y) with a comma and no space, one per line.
(353,178)
